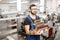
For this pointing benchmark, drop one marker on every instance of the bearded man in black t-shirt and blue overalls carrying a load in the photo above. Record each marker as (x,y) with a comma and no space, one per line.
(29,23)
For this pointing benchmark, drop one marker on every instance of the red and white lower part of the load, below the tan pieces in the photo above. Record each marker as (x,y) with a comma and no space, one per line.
(47,31)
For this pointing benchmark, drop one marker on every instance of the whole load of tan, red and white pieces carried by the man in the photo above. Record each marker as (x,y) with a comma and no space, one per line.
(40,27)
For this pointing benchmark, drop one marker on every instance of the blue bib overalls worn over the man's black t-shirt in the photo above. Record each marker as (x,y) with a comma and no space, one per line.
(32,27)
